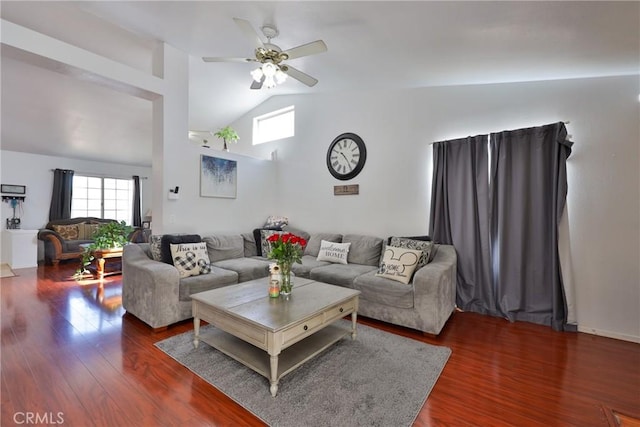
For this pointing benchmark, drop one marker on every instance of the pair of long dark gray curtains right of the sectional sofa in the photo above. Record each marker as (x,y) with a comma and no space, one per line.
(503,220)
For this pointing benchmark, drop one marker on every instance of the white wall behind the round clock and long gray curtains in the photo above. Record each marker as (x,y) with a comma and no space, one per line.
(395,185)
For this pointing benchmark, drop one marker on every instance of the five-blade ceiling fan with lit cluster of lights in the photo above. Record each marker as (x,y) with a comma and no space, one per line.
(273,70)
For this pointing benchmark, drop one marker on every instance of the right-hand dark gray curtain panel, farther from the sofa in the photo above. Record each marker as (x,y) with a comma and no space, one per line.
(528,193)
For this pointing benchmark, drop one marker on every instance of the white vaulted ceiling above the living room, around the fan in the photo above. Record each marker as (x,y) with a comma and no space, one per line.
(371,46)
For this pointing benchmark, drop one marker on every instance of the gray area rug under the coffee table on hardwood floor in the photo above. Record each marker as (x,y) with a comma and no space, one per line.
(380,379)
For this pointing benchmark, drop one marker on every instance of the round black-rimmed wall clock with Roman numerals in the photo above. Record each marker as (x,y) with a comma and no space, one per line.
(346,156)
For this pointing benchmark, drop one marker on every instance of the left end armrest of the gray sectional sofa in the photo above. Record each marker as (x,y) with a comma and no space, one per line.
(150,289)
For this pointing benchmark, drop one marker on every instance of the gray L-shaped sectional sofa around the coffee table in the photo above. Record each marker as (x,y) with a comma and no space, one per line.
(154,292)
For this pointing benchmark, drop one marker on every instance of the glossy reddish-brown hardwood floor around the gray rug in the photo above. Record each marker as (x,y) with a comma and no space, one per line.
(70,355)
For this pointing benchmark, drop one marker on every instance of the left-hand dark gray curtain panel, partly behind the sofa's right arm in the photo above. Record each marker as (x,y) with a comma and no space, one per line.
(460,217)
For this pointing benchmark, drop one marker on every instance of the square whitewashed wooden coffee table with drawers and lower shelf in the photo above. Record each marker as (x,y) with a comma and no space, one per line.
(274,336)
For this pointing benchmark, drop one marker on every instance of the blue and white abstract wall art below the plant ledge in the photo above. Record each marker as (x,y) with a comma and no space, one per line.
(218,177)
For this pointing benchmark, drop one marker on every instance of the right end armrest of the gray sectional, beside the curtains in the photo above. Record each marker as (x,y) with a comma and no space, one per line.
(435,286)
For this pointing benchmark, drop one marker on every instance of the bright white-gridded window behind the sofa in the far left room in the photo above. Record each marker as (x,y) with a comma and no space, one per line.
(109,198)
